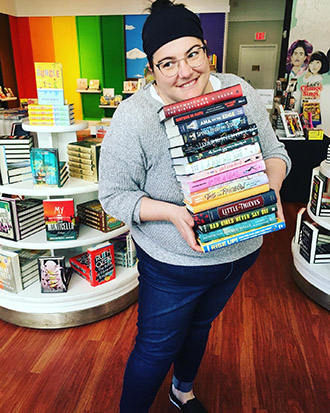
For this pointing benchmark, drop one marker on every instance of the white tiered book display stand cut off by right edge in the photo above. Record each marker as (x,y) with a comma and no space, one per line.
(313,278)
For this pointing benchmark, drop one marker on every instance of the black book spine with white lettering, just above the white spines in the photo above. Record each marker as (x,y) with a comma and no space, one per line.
(222,139)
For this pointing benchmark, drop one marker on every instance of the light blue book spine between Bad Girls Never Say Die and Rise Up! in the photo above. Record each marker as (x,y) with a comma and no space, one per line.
(237,228)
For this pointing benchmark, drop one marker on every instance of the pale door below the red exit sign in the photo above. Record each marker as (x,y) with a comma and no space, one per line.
(257,65)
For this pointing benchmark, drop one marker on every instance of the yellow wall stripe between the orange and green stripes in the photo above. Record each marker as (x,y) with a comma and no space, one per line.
(66,52)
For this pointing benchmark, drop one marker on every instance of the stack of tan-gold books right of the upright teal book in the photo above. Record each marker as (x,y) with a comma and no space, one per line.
(83,159)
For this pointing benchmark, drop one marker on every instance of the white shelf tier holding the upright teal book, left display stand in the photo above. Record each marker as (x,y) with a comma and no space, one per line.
(71,187)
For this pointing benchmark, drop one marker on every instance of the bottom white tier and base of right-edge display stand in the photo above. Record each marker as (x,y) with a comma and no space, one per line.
(312,279)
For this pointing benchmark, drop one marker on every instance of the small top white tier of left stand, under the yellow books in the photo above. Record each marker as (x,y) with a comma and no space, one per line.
(56,136)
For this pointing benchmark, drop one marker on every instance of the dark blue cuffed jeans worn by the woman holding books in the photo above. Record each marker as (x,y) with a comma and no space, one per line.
(177,305)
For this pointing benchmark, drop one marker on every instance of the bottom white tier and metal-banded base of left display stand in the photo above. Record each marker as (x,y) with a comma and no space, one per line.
(82,304)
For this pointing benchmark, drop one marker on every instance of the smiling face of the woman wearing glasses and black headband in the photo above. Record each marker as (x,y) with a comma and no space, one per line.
(188,82)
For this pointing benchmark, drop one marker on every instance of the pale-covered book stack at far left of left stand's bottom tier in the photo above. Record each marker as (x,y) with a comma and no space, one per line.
(19,268)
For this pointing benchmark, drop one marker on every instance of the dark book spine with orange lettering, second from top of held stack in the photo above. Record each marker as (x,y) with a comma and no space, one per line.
(208,110)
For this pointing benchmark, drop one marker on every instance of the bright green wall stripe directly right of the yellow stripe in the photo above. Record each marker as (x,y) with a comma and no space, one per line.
(90,59)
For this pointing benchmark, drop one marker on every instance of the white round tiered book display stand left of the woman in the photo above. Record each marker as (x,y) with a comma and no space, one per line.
(82,303)
